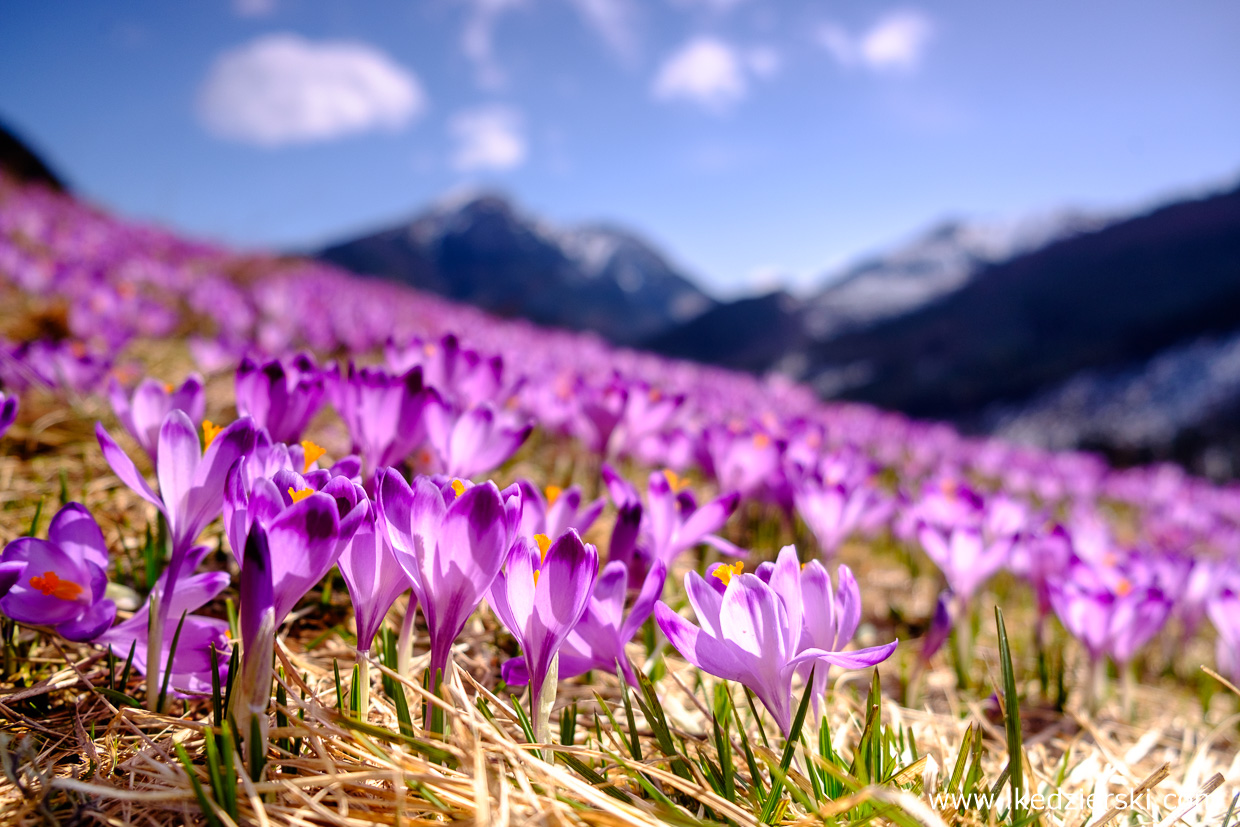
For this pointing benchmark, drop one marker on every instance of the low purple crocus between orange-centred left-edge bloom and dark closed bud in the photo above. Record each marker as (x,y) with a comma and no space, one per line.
(193,664)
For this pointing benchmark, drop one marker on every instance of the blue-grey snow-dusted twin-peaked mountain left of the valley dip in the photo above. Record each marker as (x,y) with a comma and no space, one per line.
(483,251)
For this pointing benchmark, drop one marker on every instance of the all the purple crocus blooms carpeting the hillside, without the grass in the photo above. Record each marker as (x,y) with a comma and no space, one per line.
(1117,555)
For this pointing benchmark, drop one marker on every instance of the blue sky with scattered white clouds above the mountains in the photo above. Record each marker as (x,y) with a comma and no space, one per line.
(752,141)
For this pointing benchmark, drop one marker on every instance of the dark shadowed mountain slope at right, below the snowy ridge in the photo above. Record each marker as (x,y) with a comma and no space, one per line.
(1113,297)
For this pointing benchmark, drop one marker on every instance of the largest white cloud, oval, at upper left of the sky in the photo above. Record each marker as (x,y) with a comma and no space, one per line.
(286,90)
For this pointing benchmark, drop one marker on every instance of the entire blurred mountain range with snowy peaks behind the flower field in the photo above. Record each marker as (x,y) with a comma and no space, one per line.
(1115,333)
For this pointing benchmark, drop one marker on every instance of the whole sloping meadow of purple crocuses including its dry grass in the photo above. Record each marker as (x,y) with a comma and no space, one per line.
(287,546)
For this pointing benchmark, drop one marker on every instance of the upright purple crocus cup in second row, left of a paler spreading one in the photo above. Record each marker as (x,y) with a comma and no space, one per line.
(384,412)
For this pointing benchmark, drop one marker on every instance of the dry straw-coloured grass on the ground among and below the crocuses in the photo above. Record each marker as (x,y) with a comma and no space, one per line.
(73,756)
